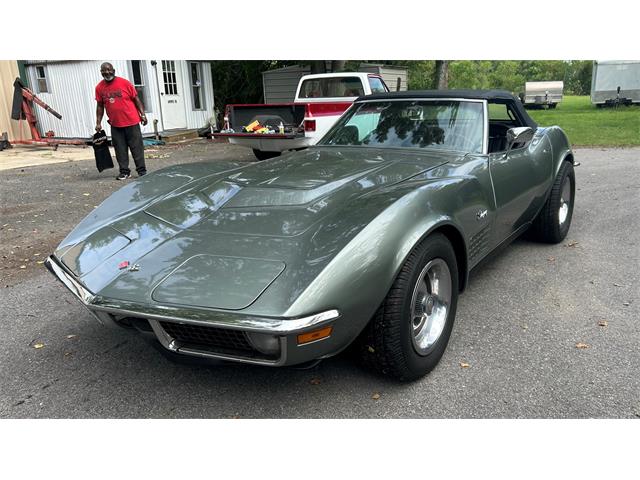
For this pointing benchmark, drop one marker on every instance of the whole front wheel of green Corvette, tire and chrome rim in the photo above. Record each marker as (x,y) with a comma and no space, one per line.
(408,334)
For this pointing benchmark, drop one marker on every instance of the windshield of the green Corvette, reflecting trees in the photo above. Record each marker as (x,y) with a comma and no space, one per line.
(446,124)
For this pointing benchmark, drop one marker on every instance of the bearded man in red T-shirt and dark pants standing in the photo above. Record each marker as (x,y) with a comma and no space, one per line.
(125,112)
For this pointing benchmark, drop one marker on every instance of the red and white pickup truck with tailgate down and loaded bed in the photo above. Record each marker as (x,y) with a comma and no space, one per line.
(270,129)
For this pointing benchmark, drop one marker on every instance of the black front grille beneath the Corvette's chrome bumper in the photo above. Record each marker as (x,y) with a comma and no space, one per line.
(213,339)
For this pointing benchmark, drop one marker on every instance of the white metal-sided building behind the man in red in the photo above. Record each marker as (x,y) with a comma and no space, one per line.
(176,93)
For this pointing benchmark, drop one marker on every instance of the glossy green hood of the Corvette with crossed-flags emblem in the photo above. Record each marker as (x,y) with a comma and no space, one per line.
(221,239)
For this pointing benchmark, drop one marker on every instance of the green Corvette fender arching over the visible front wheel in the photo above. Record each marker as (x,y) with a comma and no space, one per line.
(360,275)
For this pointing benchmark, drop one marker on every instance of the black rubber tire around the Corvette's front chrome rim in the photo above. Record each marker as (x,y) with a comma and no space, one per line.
(388,343)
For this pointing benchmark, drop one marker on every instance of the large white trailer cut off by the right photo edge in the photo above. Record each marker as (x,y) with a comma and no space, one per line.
(615,82)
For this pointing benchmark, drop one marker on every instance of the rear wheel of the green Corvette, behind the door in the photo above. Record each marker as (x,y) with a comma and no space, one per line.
(552,224)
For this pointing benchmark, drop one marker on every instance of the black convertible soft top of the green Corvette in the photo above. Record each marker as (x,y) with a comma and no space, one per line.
(492,96)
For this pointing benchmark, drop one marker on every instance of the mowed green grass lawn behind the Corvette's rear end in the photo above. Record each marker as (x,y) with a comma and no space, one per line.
(586,125)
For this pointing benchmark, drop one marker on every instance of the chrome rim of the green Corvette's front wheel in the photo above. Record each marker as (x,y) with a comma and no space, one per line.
(430,305)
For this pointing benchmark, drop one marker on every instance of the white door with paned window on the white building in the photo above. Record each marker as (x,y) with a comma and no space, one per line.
(171,95)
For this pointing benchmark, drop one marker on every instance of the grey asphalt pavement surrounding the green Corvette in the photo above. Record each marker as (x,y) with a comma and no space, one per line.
(543,331)
